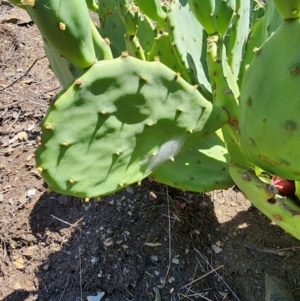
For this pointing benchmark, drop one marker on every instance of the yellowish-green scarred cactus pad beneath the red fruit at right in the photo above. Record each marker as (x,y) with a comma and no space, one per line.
(284,211)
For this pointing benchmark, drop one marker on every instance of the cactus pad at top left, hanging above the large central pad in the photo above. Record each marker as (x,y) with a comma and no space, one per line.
(67,27)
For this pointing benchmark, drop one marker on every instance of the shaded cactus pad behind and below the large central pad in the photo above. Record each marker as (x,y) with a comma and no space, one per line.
(202,168)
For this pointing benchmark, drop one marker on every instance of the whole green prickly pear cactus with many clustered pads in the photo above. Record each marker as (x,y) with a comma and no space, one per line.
(215,66)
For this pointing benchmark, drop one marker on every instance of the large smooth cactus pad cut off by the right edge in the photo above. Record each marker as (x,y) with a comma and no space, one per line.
(269,104)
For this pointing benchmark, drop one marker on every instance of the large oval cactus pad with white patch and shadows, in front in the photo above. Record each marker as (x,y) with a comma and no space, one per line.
(103,132)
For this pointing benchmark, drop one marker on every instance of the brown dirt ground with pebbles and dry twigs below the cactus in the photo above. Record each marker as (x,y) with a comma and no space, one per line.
(147,242)
